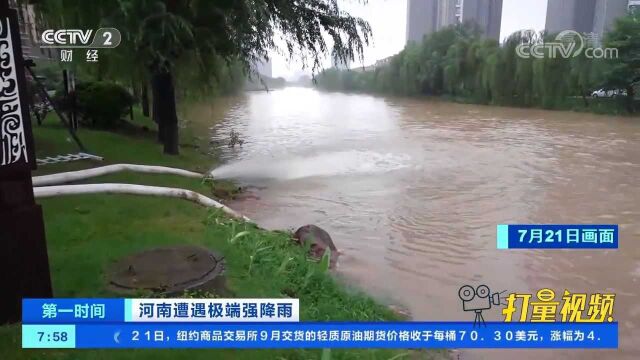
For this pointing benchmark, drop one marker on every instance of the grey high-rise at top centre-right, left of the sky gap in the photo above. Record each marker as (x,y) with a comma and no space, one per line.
(427,16)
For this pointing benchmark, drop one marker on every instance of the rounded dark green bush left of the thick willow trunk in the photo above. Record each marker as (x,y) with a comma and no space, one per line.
(102,104)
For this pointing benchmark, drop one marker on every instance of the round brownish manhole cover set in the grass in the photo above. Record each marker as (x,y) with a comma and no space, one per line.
(168,270)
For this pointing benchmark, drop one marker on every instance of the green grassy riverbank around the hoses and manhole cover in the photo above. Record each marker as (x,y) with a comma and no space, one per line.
(85,234)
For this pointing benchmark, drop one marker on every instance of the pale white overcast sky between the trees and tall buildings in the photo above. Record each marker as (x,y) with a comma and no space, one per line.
(388,22)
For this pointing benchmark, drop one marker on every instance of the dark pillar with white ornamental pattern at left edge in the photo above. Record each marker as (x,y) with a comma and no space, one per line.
(24,263)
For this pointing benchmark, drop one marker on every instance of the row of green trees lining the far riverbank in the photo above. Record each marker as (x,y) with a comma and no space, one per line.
(459,63)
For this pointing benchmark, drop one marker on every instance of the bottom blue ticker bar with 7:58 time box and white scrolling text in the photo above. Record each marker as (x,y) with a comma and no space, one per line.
(400,335)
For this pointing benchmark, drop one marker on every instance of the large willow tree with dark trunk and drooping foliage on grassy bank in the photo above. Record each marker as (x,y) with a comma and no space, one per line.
(167,41)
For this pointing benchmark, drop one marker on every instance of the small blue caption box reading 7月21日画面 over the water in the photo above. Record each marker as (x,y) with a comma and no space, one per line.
(556,236)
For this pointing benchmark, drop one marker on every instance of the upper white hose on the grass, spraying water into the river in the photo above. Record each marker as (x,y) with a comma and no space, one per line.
(72,176)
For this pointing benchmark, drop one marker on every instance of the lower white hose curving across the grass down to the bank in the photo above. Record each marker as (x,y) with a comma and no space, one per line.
(50,191)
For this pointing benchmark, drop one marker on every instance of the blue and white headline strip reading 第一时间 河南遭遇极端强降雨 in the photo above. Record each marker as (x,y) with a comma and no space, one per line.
(94,310)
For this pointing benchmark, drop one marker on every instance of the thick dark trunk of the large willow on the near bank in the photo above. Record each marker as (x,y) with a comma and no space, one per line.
(167,114)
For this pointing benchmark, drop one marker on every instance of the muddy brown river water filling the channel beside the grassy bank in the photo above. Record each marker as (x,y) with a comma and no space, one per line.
(411,190)
